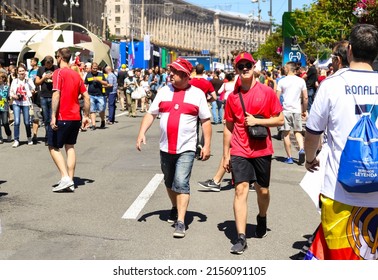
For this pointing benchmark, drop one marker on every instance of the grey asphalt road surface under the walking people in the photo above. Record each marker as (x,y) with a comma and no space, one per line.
(39,224)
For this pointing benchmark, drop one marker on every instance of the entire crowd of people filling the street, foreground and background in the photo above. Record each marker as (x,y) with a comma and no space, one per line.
(249,102)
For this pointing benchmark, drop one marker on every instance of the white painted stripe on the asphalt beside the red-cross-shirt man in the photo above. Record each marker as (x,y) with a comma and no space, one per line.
(142,199)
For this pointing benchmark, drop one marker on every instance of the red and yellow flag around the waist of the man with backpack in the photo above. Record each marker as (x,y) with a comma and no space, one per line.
(346,233)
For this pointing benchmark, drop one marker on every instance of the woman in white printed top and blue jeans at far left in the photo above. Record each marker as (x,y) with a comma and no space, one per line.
(21,92)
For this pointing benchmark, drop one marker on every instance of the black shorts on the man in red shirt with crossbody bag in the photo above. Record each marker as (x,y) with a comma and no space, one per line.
(251,170)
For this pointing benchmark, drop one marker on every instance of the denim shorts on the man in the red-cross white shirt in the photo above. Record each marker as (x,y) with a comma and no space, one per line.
(177,169)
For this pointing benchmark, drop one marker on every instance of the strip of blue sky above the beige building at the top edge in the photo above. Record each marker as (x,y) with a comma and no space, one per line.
(246,7)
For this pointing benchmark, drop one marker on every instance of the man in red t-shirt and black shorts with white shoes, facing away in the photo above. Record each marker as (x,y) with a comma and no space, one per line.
(66,118)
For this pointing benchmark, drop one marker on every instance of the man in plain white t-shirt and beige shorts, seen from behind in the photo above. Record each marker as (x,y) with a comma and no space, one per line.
(294,92)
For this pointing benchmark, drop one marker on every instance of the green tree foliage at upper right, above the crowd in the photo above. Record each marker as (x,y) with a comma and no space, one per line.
(319,26)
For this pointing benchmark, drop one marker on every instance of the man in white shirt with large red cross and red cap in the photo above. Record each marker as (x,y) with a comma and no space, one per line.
(179,106)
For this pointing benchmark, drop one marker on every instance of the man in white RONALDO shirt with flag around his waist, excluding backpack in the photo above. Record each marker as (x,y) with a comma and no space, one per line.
(349,221)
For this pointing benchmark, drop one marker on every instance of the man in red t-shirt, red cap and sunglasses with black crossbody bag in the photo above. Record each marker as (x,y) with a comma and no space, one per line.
(249,159)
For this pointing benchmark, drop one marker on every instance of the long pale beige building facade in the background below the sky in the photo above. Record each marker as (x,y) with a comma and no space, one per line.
(184,28)
